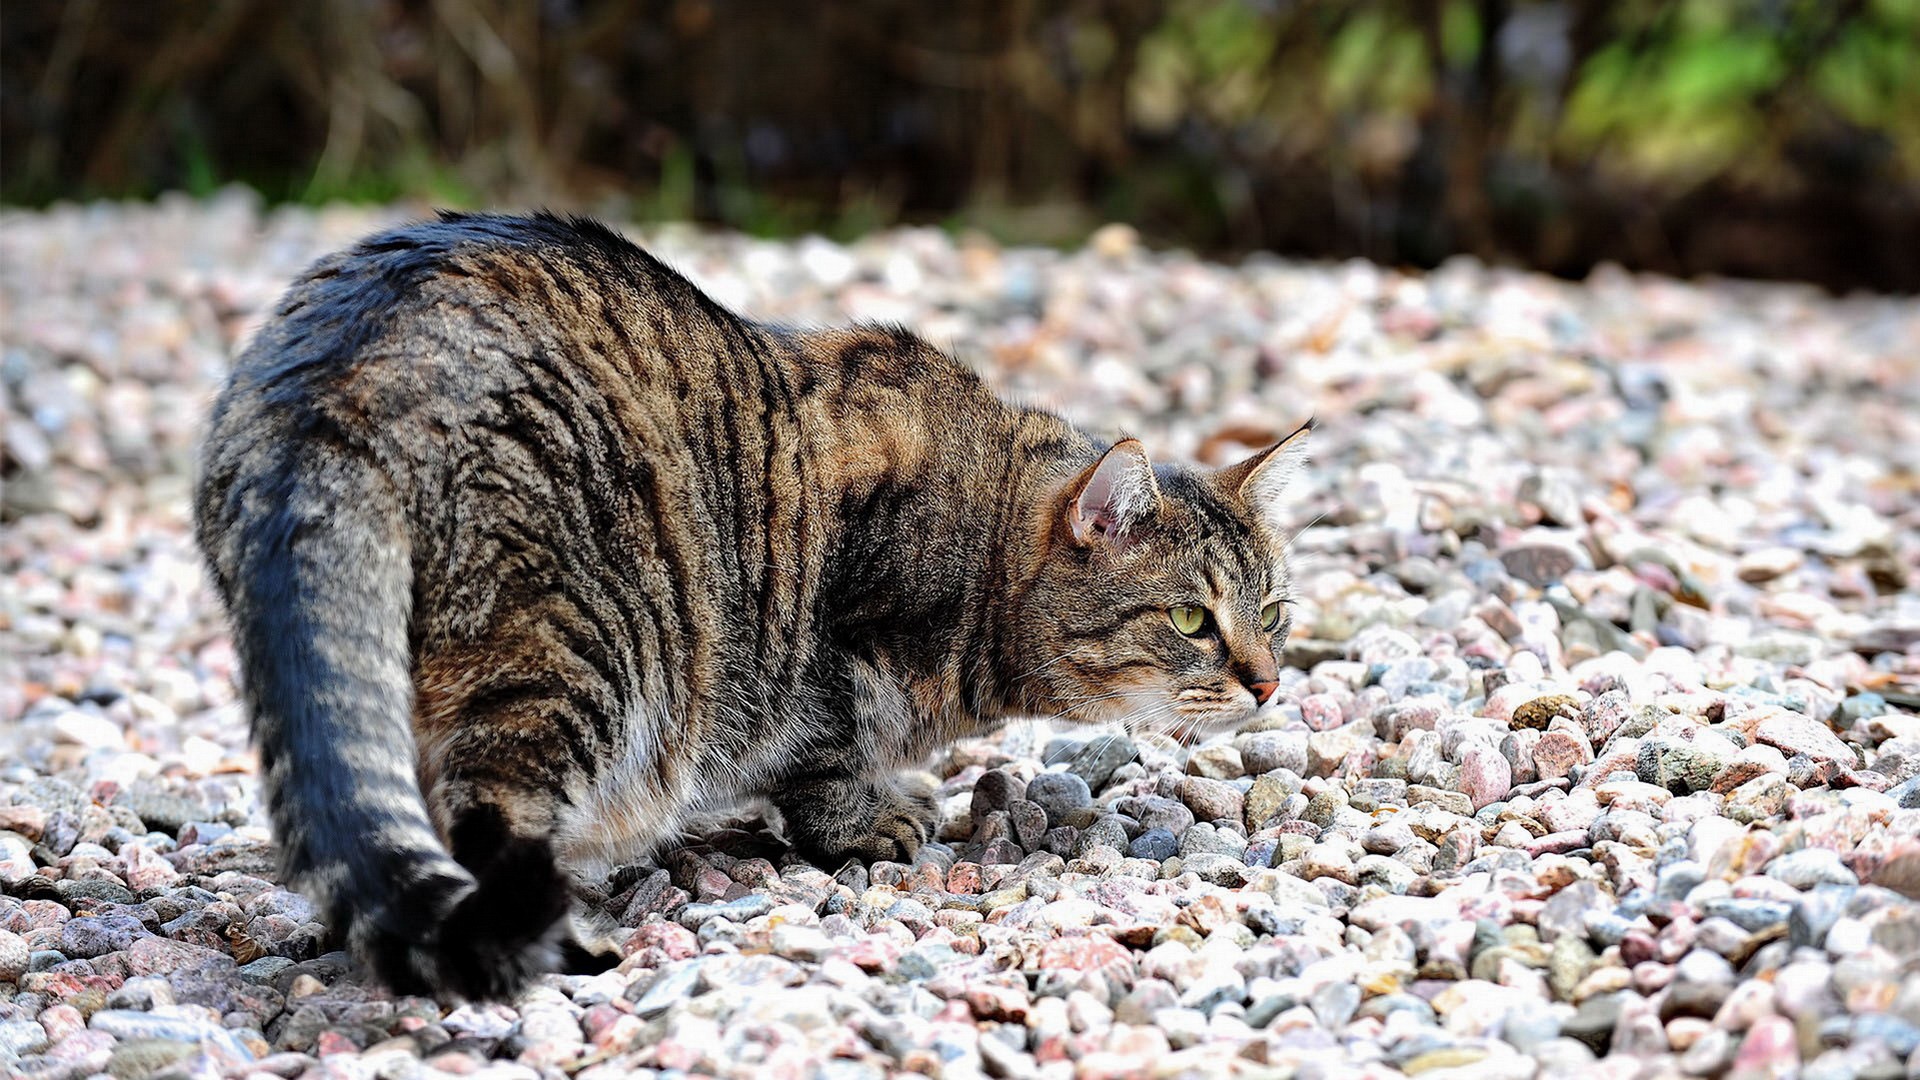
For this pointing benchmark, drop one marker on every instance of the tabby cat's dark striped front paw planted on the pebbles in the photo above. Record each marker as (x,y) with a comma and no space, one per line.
(838,818)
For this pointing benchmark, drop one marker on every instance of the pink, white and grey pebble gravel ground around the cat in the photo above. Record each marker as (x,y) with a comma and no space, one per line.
(1596,754)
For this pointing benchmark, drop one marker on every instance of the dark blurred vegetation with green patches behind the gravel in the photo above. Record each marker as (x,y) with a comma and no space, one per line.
(1746,137)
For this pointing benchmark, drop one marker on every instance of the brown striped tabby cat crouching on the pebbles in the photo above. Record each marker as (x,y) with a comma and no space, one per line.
(531,551)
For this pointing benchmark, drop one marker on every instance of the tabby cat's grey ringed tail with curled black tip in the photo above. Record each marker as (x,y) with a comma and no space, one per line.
(310,549)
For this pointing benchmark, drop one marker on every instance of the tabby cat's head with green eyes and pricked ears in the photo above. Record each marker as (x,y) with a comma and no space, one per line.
(1163,595)
